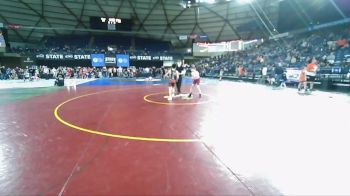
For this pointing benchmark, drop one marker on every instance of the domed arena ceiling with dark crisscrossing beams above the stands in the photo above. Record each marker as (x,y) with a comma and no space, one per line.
(159,19)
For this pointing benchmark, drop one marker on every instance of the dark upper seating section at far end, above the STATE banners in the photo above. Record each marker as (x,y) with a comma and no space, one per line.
(108,45)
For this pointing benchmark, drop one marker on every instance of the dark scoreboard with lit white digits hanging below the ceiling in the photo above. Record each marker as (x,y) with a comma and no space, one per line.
(110,23)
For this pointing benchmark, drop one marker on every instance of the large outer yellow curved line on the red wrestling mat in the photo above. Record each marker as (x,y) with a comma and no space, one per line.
(76,127)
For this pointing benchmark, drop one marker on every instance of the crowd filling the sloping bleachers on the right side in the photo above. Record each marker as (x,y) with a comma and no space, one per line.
(330,48)
